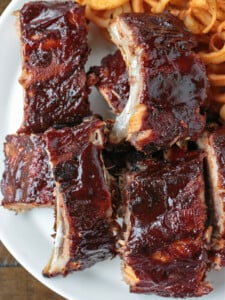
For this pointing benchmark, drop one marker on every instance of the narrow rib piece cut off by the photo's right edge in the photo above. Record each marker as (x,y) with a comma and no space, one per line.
(213,144)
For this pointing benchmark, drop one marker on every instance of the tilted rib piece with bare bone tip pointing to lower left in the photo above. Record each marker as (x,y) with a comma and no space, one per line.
(83,202)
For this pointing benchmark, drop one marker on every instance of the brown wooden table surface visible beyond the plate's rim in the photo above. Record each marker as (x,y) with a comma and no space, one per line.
(15,282)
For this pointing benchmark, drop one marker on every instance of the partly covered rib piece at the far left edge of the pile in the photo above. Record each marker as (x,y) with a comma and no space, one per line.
(27,181)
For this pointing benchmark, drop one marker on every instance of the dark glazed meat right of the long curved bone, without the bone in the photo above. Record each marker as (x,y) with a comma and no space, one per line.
(174,79)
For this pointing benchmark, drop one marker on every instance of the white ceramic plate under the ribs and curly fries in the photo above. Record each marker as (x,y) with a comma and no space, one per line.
(27,236)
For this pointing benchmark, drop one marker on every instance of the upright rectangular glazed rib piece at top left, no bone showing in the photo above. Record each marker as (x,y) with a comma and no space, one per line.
(54,50)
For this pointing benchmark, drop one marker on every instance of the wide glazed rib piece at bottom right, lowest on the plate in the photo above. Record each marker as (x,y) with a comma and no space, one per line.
(164,248)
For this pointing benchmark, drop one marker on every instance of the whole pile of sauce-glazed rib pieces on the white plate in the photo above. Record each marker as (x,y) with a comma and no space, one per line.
(141,168)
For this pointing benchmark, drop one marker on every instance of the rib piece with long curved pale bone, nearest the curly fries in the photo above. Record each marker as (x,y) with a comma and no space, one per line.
(168,82)
